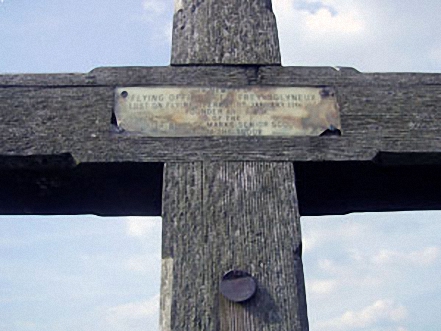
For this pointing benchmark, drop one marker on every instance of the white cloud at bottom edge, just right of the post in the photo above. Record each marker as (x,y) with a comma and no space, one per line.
(379,312)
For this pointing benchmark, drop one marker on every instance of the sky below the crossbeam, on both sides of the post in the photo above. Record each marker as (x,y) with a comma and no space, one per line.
(368,272)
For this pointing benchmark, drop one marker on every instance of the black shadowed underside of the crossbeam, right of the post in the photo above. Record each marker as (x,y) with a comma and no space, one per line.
(337,188)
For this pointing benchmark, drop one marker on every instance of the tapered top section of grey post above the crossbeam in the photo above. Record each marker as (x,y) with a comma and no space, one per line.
(224,32)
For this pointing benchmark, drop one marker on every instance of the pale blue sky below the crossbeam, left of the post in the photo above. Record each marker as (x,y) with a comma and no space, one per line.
(79,273)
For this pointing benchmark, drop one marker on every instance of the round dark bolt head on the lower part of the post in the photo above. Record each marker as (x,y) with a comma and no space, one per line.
(238,286)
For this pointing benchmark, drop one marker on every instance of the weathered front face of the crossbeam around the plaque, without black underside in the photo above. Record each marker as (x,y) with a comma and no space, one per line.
(380,113)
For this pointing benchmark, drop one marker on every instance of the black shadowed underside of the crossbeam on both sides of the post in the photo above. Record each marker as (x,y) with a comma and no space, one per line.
(57,185)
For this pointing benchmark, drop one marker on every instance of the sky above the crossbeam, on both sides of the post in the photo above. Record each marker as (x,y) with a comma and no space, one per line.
(79,35)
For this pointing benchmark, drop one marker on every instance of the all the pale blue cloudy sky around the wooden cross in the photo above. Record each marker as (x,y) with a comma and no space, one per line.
(366,272)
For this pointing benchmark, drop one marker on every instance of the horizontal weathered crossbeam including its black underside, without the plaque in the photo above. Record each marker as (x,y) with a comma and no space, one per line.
(57,141)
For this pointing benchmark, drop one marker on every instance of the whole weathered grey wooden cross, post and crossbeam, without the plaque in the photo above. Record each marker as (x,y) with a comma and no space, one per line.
(228,202)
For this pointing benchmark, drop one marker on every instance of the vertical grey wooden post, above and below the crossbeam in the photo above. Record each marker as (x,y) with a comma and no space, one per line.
(220,216)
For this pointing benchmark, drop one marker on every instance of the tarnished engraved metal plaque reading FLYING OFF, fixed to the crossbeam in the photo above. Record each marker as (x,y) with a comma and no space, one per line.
(210,111)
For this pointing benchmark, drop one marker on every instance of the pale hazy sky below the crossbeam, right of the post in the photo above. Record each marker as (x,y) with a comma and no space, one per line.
(349,259)
